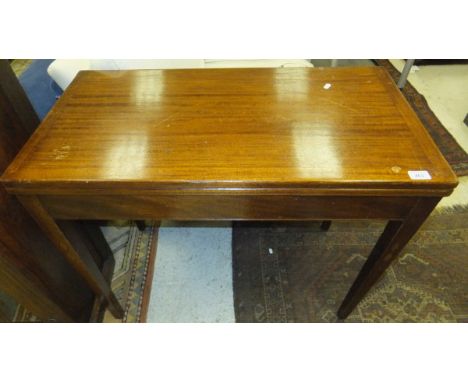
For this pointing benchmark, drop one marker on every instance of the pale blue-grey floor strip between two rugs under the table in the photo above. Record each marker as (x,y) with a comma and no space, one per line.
(193,274)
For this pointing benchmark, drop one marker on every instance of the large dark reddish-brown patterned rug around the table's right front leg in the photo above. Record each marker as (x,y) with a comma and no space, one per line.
(297,273)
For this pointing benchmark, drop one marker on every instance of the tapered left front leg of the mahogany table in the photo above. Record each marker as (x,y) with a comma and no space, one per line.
(89,271)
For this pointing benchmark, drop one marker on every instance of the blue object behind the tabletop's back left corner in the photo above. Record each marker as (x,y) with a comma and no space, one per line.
(40,88)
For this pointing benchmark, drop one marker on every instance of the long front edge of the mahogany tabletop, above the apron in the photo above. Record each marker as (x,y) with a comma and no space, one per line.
(415,188)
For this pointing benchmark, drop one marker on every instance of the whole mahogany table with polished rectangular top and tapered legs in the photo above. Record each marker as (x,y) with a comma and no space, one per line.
(232,144)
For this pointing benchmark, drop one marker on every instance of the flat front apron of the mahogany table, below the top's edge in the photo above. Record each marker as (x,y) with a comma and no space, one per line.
(226,207)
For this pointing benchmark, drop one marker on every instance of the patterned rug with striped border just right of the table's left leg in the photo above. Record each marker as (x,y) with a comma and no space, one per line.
(134,254)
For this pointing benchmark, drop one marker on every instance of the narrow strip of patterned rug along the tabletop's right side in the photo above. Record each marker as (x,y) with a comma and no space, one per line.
(452,151)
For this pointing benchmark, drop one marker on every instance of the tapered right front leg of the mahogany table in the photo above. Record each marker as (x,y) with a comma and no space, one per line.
(393,239)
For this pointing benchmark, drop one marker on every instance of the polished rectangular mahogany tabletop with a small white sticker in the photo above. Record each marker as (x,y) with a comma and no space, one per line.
(316,128)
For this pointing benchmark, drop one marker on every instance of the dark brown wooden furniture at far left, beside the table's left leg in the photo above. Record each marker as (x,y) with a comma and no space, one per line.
(32,270)
